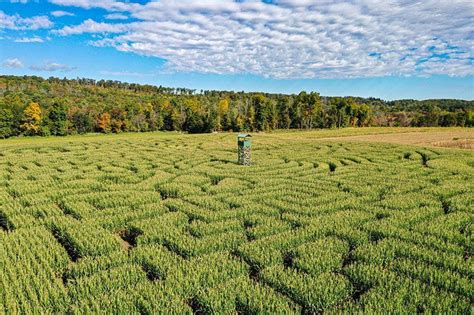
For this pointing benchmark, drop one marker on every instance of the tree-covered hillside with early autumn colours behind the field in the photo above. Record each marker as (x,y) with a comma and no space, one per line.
(31,105)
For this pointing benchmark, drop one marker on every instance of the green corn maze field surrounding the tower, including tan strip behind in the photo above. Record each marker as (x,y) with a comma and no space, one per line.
(323,221)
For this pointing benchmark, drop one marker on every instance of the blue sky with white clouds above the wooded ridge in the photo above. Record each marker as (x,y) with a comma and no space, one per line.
(391,49)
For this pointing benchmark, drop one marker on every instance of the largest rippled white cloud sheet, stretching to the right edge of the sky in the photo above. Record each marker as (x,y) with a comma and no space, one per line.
(292,38)
